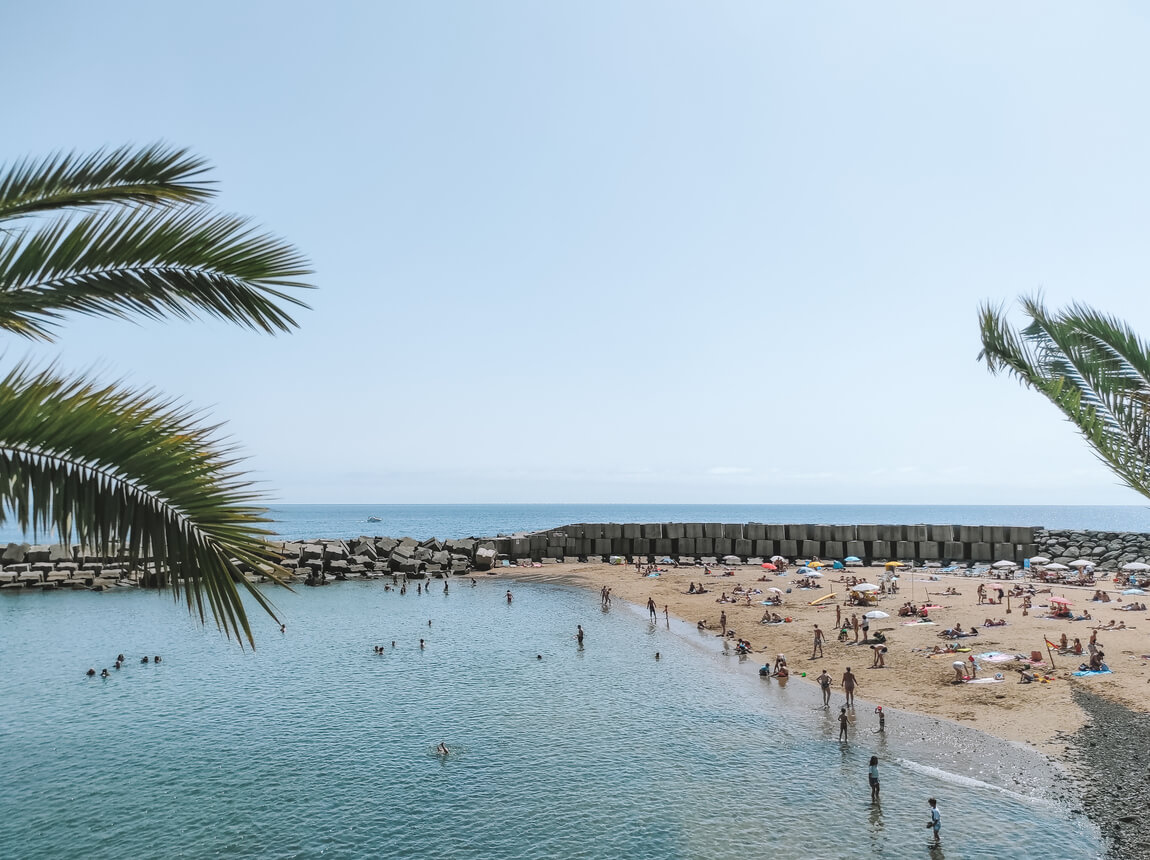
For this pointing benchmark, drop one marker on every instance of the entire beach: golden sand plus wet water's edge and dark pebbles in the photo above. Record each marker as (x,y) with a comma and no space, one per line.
(1055,728)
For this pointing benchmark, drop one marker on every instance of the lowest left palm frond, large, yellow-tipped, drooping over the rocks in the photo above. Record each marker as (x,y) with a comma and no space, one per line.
(126,472)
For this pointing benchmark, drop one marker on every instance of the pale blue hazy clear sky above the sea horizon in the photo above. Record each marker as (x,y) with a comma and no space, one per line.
(626,252)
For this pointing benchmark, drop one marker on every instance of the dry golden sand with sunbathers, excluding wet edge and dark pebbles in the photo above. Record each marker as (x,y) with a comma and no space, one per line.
(1039,715)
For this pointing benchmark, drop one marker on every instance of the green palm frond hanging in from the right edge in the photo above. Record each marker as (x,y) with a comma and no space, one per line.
(1093,367)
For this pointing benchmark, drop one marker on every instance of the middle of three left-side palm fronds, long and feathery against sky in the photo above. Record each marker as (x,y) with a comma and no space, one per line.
(147,263)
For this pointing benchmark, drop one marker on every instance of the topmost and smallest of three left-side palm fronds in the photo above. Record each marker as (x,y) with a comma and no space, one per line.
(150,175)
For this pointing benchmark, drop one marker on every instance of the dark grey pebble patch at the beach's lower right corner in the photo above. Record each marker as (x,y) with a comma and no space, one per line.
(1109,758)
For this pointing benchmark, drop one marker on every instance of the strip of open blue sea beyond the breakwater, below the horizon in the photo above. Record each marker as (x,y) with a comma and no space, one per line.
(294,523)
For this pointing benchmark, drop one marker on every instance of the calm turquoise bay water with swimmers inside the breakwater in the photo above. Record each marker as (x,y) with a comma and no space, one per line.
(315,747)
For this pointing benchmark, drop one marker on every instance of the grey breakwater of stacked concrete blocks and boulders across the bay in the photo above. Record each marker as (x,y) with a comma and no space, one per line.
(324,560)
